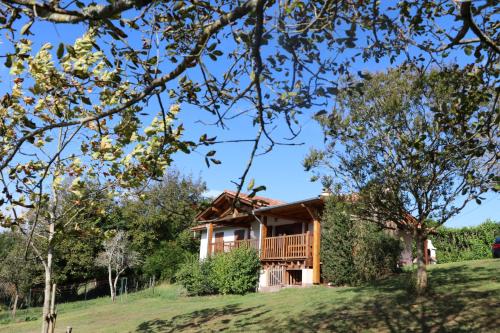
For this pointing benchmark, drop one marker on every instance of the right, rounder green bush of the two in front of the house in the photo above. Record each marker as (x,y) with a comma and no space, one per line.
(235,272)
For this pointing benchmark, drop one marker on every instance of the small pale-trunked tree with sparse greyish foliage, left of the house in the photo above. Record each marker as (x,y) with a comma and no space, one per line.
(117,257)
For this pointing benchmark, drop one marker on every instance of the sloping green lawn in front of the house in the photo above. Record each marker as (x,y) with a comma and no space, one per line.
(463,297)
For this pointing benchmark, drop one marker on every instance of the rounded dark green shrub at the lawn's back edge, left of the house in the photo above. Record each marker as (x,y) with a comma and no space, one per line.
(165,261)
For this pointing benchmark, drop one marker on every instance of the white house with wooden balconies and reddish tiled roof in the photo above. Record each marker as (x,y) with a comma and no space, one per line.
(286,235)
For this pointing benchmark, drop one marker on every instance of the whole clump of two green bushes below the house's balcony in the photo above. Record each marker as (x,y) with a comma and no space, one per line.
(235,272)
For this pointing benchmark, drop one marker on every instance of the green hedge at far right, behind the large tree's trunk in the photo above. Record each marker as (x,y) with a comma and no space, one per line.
(467,243)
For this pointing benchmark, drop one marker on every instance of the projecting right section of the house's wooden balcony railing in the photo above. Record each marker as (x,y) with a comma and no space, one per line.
(290,247)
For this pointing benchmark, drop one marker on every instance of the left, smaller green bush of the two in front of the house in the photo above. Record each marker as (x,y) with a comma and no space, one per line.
(195,276)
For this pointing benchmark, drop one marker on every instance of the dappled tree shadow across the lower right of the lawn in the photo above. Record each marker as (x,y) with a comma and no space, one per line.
(453,304)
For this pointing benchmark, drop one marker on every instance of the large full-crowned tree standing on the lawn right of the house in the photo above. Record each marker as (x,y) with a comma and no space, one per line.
(414,145)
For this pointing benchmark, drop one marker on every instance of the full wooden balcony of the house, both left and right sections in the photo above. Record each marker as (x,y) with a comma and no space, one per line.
(289,247)
